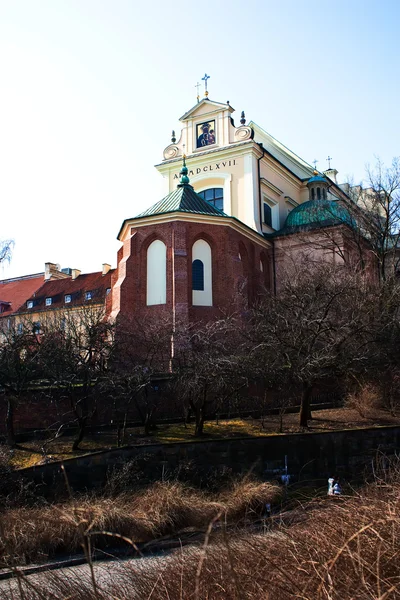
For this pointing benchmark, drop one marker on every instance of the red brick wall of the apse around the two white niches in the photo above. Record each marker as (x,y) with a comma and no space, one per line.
(235,280)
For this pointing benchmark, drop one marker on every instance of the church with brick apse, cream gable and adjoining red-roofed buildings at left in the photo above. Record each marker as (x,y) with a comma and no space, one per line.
(237,203)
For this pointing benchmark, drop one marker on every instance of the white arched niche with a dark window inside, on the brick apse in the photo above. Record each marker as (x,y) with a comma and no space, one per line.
(201,274)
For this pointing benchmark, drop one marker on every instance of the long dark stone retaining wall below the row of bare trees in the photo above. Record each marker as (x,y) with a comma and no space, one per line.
(310,456)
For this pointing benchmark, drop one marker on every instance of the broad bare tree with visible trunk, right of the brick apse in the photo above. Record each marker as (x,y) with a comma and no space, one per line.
(313,329)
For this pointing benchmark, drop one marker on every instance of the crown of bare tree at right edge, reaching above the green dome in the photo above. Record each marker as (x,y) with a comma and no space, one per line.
(363,229)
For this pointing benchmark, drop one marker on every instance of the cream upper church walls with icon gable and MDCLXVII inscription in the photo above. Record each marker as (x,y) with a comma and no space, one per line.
(250,165)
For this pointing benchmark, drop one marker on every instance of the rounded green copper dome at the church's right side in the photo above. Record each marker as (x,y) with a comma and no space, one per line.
(318,213)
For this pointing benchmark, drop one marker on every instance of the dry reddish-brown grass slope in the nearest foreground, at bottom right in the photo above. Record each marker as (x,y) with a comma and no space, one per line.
(340,549)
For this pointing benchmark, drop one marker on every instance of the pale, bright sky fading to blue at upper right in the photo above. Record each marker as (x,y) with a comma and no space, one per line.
(91,89)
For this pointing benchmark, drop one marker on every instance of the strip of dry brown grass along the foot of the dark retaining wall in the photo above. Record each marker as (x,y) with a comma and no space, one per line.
(35,534)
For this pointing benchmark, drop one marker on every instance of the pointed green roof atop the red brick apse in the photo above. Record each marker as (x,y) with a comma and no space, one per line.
(183,199)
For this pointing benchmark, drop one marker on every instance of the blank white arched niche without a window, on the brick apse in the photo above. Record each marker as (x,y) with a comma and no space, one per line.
(156,273)
